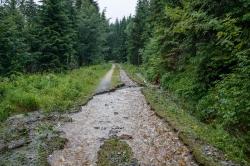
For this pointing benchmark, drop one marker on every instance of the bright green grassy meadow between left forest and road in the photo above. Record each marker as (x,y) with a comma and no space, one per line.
(48,92)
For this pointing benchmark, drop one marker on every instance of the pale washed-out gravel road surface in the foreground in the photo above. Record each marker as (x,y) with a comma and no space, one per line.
(123,112)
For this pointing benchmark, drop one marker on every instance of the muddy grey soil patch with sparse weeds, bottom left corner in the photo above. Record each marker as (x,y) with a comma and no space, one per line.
(27,140)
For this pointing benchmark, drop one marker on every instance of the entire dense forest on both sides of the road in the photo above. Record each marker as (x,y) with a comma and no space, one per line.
(197,50)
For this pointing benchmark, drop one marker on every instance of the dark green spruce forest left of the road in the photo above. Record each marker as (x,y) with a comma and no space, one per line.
(55,35)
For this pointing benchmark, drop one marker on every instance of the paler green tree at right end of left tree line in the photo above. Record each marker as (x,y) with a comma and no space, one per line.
(90,33)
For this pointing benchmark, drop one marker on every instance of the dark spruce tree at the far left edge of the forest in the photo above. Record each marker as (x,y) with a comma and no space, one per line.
(13,49)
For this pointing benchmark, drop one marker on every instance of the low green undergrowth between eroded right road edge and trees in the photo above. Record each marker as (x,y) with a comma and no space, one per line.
(216,136)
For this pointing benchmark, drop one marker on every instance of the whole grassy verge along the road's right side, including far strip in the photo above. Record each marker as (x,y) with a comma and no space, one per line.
(196,134)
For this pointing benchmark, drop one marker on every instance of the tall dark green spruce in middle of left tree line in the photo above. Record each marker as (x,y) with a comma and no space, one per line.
(55,36)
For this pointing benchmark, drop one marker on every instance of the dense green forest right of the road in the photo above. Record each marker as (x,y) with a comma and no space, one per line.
(197,50)
